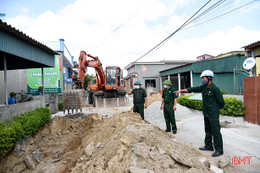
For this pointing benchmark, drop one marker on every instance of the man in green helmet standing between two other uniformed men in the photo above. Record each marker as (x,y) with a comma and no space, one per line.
(169,100)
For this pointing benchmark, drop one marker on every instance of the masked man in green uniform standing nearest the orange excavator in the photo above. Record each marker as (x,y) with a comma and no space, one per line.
(140,98)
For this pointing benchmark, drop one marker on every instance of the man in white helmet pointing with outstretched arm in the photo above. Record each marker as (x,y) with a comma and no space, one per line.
(212,102)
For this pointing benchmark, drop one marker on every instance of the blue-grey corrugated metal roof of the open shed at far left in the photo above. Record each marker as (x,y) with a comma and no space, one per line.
(21,51)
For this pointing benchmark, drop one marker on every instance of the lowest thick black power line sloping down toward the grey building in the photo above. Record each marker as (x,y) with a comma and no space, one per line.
(167,38)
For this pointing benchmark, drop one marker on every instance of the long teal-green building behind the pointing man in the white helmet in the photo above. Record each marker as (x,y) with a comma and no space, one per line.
(227,68)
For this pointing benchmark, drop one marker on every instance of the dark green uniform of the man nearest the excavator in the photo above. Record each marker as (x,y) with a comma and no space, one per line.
(139,100)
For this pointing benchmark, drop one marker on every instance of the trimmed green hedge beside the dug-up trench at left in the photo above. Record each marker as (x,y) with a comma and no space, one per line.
(21,126)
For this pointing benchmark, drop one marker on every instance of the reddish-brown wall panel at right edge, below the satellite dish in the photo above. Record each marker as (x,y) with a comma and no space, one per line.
(252,99)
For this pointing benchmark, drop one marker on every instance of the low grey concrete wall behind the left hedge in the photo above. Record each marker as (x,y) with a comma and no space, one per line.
(10,111)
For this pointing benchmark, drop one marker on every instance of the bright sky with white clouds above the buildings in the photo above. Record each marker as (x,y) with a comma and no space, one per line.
(91,25)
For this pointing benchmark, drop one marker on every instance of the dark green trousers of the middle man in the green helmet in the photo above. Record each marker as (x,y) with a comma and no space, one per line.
(169,117)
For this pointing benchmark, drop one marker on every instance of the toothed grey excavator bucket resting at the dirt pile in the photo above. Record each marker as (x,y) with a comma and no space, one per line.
(74,100)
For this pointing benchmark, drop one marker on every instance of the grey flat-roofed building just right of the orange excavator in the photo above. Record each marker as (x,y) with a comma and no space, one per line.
(148,73)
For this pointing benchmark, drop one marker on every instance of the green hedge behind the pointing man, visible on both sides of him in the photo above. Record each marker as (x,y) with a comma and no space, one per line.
(233,107)
